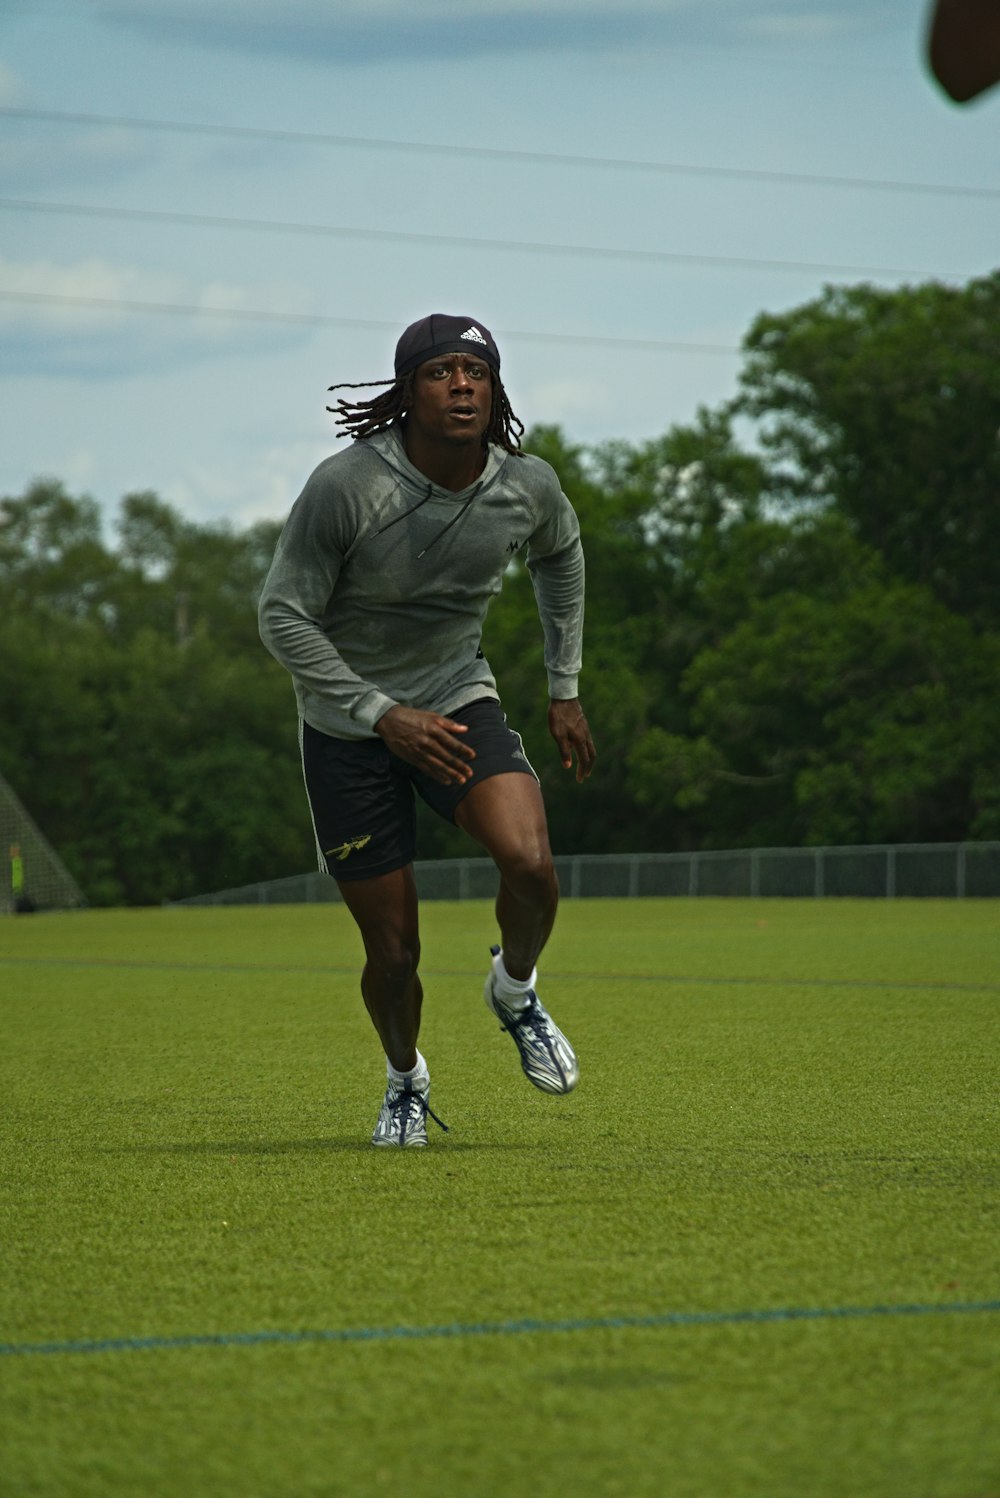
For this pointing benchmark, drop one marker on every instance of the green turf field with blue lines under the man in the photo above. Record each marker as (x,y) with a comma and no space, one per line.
(213,1285)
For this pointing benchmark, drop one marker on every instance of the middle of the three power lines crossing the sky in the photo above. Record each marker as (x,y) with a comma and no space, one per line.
(204,221)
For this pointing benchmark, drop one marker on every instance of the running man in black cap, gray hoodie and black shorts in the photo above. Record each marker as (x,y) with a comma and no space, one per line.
(375,604)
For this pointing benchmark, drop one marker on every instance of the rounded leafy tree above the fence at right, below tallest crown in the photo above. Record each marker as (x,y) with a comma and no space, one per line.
(818,721)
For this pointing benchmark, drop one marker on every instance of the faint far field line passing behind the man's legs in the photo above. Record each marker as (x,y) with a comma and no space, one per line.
(326,970)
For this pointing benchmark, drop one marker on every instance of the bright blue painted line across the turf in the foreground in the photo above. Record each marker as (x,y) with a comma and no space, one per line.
(469,1329)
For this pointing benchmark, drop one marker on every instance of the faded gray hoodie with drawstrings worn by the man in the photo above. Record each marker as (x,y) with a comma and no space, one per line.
(381,583)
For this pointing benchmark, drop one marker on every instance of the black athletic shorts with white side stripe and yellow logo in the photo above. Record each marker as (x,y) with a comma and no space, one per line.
(362,796)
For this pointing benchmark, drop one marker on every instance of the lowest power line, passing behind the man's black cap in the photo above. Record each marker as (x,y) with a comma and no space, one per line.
(323,320)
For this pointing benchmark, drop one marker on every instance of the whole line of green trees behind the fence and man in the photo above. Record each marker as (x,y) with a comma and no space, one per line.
(793,628)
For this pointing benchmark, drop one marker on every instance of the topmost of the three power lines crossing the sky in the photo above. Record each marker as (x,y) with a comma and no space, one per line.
(498,154)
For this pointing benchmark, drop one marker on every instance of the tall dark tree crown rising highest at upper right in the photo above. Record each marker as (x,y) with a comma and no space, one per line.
(887,405)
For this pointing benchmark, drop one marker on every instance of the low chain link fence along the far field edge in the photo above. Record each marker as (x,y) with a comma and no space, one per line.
(894,871)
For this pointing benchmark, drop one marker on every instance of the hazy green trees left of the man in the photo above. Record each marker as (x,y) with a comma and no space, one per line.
(161,762)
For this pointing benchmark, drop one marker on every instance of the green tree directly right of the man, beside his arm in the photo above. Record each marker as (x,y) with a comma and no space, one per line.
(650,518)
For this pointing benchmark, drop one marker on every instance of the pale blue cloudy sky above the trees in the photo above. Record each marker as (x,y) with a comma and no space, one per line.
(210,213)
